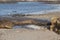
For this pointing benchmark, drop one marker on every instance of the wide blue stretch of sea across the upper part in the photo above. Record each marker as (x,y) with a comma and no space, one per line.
(26,7)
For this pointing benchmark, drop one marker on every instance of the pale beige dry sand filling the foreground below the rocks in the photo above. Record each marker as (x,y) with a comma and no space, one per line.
(24,34)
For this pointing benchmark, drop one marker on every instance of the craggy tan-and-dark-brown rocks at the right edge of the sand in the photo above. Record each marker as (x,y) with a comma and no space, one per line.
(55,24)
